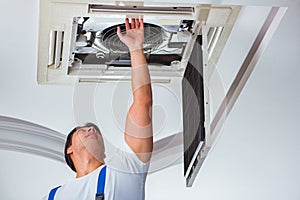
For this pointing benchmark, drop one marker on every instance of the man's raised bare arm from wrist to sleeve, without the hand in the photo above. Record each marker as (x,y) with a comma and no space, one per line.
(139,133)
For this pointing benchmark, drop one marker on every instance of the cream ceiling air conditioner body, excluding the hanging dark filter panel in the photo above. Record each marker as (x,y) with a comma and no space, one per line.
(78,41)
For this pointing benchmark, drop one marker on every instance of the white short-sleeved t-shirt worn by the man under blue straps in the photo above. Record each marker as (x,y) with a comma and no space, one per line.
(125,180)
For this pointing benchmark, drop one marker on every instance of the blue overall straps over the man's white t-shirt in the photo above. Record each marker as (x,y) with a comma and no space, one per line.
(100,186)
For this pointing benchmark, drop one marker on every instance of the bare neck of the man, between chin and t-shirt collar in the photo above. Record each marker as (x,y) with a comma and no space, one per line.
(87,166)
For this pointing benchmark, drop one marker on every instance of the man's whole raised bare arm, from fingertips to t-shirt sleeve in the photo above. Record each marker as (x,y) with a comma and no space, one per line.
(138,129)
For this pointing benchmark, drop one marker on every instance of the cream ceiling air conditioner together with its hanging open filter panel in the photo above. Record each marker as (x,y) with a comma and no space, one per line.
(78,44)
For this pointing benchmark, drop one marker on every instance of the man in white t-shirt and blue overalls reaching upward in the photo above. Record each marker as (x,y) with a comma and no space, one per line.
(125,173)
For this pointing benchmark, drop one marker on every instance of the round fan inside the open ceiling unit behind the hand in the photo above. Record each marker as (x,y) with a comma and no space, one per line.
(153,37)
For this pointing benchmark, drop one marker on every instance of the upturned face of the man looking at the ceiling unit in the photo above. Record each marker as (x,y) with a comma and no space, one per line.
(88,141)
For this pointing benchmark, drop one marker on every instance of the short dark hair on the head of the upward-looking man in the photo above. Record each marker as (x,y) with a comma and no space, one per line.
(68,143)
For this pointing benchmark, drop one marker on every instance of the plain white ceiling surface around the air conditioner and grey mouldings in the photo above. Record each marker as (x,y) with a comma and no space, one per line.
(256,156)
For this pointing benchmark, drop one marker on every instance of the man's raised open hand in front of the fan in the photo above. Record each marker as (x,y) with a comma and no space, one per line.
(134,37)
